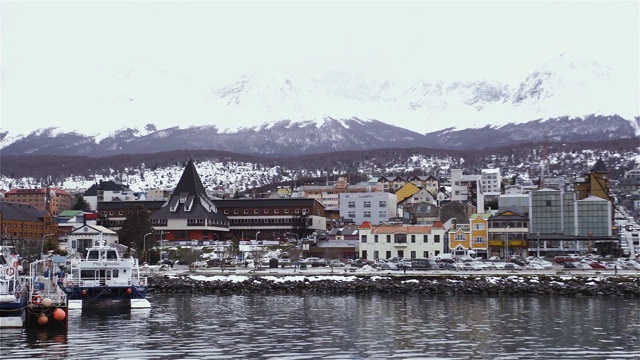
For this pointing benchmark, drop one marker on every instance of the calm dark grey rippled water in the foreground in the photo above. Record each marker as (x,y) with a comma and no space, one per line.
(344,327)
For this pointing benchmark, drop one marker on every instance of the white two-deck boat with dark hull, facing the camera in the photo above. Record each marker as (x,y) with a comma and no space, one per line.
(104,276)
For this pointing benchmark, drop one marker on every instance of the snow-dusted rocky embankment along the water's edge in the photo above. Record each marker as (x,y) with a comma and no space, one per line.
(490,285)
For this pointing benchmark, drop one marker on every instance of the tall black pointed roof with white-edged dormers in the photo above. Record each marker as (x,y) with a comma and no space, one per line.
(189,200)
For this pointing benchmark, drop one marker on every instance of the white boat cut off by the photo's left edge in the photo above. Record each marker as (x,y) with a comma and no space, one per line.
(13,292)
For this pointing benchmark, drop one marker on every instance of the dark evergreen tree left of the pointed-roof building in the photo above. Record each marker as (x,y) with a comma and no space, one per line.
(134,228)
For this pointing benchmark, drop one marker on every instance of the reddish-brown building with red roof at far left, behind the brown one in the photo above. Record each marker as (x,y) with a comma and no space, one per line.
(52,199)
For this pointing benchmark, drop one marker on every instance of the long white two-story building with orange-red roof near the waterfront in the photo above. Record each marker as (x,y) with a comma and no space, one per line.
(411,241)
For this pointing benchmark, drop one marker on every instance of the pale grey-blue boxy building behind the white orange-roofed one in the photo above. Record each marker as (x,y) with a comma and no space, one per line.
(375,208)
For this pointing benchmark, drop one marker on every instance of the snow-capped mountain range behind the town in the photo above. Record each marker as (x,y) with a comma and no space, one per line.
(281,112)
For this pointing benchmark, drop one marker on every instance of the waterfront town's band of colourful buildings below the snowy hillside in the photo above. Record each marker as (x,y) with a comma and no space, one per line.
(463,216)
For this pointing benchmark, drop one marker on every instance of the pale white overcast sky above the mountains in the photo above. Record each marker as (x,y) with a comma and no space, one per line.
(80,65)
